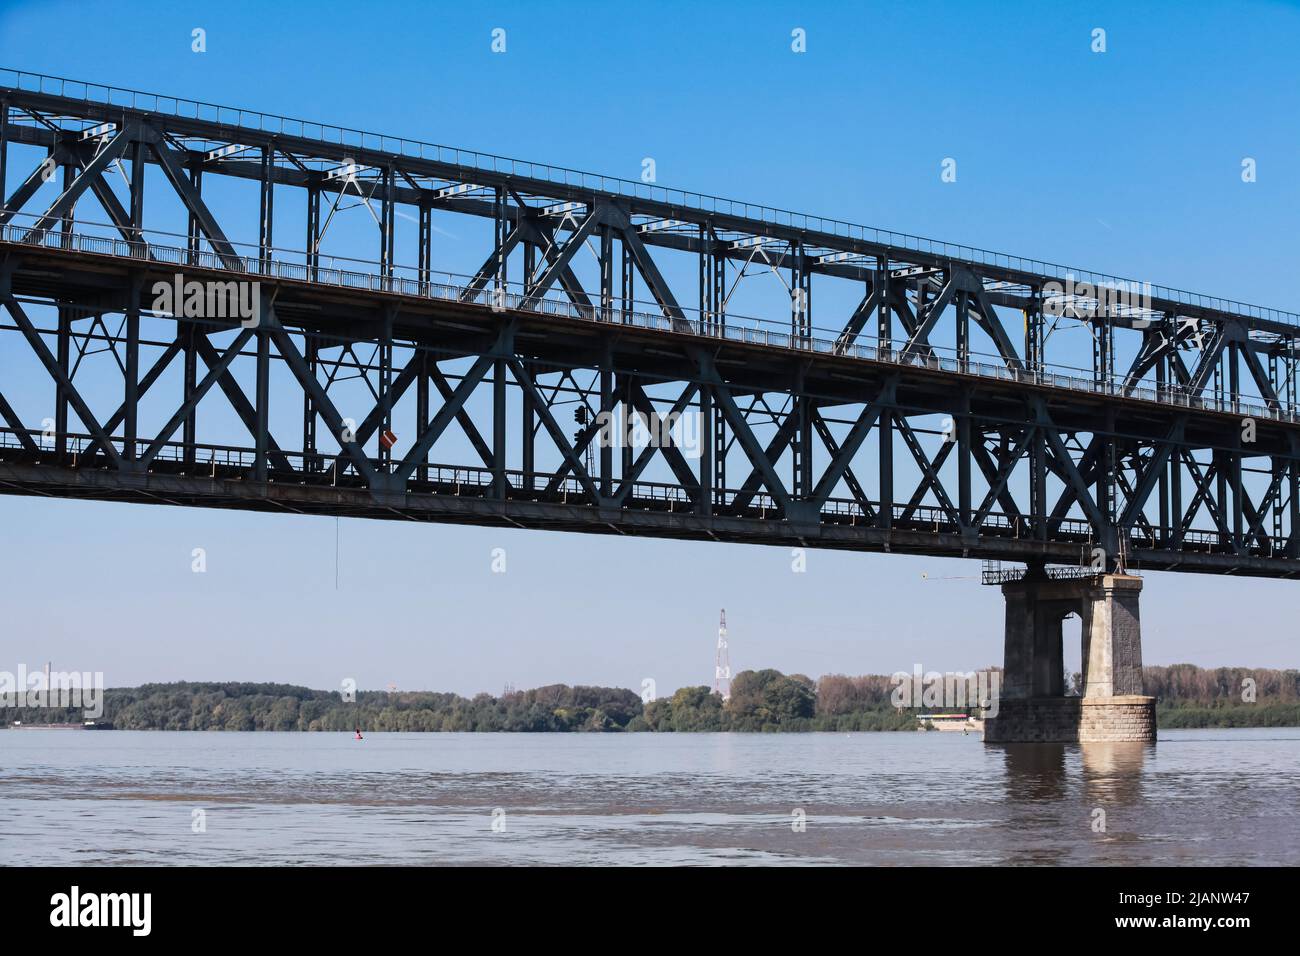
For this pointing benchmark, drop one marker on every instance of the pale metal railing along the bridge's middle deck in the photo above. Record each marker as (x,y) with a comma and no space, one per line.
(744,330)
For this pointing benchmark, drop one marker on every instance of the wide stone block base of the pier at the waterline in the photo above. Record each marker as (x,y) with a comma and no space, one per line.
(1073,720)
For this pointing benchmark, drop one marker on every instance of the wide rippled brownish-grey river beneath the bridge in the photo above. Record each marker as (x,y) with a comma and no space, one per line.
(1225,797)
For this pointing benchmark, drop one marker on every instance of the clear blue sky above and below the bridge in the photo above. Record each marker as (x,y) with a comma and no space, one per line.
(1126,162)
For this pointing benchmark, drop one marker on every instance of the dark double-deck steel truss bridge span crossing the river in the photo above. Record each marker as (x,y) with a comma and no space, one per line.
(895,395)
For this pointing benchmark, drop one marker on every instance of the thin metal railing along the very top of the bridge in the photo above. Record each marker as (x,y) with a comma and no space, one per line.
(236,119)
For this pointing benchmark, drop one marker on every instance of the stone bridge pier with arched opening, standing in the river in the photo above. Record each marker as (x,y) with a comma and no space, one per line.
(1033,707)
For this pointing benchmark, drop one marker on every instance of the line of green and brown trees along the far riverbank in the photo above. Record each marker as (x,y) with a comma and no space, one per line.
(761,702)
